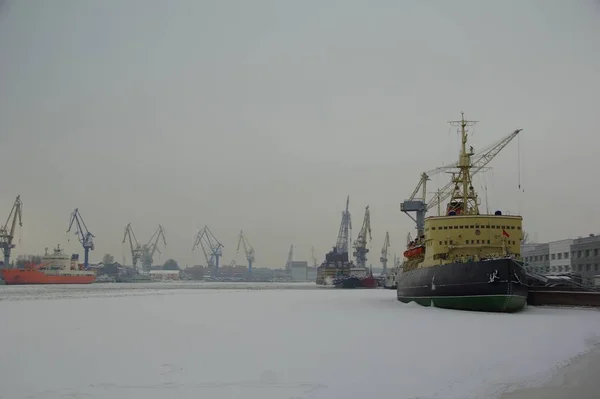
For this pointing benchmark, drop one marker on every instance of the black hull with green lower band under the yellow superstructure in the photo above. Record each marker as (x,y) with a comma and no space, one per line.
(496,285)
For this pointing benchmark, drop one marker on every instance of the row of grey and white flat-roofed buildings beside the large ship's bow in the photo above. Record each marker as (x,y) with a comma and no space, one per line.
(580,256)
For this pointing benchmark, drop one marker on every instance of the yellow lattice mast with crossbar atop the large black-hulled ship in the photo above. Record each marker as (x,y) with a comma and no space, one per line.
(464,198)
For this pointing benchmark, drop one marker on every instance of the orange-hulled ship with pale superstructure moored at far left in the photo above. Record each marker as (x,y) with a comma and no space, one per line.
(57,268)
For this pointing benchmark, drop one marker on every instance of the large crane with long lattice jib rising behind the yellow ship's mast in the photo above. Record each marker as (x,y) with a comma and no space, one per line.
(420,205)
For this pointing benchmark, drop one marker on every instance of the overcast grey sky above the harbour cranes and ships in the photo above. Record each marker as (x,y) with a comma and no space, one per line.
(264,115)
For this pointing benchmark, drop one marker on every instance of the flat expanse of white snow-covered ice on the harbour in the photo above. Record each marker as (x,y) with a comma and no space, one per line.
(115,341)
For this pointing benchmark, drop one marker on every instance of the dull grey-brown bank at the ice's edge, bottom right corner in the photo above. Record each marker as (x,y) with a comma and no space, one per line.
(576,379)
